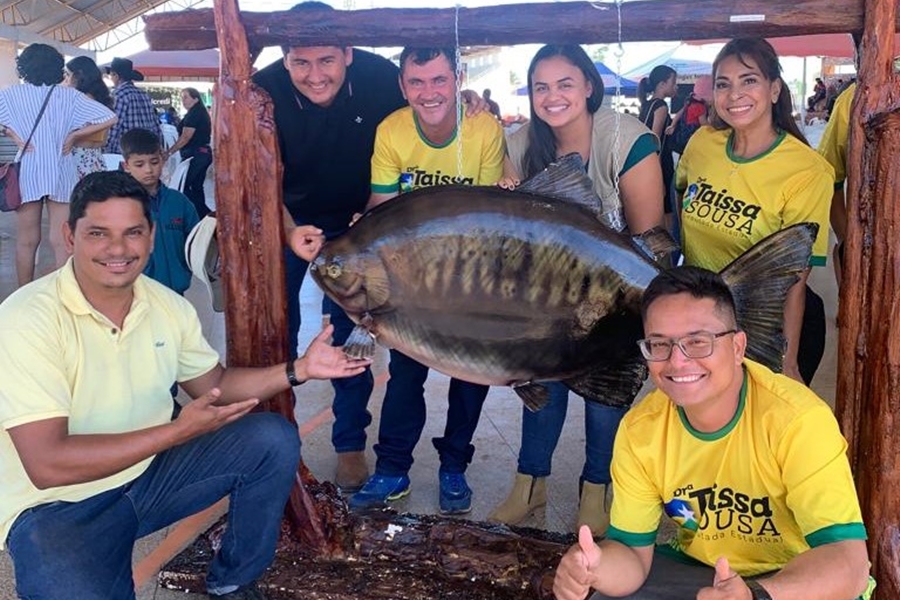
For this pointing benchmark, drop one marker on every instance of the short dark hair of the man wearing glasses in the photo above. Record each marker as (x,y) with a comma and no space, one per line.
(699,283)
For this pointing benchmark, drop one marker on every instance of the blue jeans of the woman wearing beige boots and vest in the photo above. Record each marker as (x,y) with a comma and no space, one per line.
(541,431)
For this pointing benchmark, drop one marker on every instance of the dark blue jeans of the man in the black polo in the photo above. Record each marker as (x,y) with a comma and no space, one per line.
(351,395)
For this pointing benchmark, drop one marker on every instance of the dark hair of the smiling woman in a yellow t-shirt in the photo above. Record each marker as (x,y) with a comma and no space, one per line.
(763,54)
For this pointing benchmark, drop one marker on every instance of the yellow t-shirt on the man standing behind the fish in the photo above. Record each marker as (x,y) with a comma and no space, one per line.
(404,160)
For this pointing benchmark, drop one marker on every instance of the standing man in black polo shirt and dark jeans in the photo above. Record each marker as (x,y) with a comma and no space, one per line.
(328,103)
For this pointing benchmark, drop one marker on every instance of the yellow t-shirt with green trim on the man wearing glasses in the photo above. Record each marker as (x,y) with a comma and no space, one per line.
(771,484)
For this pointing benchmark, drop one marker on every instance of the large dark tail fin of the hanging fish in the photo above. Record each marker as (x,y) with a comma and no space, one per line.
(760,279)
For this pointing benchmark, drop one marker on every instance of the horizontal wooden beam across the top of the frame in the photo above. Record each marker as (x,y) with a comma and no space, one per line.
(565,22)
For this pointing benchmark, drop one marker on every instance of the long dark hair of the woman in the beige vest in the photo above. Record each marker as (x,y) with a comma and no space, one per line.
(541,141)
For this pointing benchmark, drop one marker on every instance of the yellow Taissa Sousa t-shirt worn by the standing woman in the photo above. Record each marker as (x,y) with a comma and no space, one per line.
(729,203)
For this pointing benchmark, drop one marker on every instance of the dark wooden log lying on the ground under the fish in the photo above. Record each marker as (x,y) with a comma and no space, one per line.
(386,556)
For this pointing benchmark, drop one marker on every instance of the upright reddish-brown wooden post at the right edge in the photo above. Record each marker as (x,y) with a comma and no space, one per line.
(868,385)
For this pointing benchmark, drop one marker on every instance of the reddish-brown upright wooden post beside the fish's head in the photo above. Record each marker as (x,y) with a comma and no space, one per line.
(251,237)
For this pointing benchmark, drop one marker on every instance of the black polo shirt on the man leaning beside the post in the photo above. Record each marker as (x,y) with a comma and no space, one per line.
(327,151)
